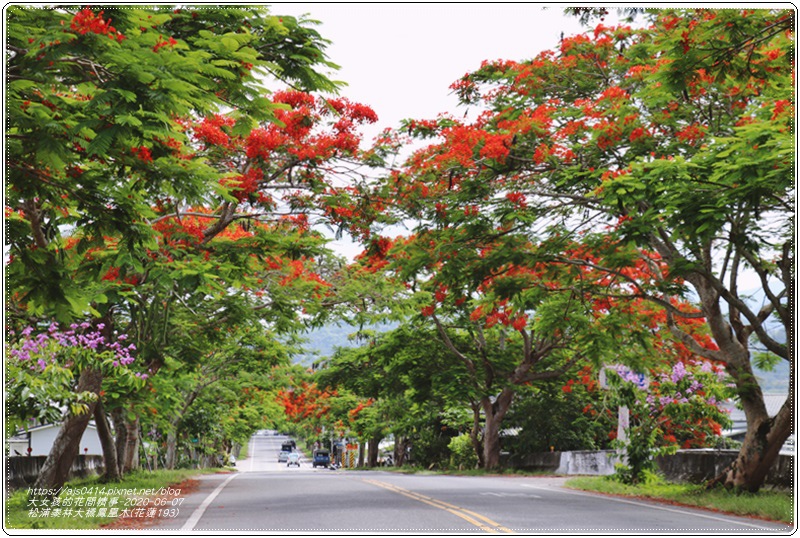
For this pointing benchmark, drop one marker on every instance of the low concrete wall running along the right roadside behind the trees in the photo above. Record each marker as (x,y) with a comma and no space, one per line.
(695,466)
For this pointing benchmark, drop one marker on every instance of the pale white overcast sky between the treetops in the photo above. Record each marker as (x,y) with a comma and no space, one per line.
(400,59)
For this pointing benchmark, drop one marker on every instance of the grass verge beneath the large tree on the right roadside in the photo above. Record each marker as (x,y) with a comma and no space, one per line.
(767,504)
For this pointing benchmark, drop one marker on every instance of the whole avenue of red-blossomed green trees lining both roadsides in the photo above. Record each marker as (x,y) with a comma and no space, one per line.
(621,204)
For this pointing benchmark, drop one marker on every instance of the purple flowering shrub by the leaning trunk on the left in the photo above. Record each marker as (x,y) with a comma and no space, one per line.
(42,368)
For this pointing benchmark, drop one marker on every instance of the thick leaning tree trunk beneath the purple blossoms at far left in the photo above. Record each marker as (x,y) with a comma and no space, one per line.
(66,445)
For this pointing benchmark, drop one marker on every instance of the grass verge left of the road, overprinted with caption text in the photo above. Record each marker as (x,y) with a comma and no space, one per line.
(88,503)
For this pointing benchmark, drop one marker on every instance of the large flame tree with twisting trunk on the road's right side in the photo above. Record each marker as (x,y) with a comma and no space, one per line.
(668,145)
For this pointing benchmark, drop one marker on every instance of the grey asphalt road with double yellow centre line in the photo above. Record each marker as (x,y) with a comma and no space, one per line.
(268,497)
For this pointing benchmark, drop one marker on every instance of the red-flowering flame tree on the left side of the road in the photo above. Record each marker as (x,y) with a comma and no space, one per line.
(151,173)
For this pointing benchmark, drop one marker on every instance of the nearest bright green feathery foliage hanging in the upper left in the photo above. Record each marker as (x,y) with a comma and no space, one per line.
(93,123)
